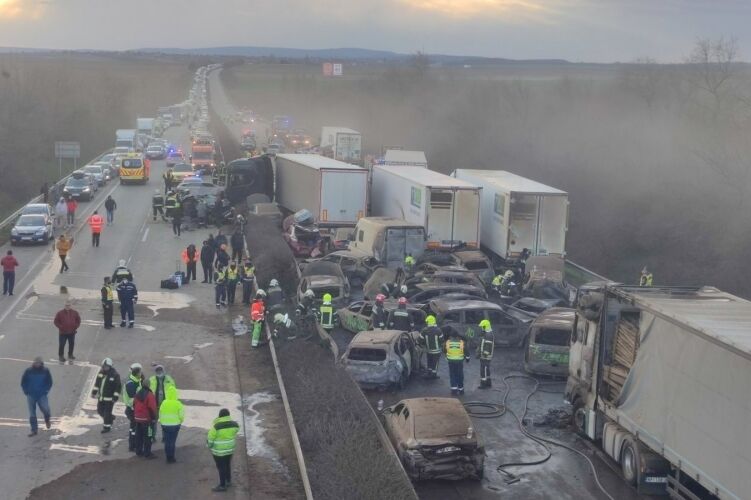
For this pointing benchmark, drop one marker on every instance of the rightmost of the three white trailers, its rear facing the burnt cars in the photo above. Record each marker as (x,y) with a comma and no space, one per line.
(519,213)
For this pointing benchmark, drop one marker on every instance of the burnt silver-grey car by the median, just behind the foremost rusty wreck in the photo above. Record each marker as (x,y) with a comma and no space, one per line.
(380,359)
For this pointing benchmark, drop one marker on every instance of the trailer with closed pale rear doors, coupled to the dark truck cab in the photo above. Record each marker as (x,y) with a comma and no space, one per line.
(336,193)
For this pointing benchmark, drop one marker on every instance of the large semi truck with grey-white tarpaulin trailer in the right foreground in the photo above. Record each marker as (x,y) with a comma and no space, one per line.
(659,376)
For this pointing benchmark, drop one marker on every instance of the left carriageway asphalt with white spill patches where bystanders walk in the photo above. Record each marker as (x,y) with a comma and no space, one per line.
(179,329)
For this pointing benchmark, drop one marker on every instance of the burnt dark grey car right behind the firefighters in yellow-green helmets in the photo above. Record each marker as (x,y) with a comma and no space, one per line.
(509,327)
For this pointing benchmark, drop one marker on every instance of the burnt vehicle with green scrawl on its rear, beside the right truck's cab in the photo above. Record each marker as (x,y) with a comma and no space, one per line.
(547,346)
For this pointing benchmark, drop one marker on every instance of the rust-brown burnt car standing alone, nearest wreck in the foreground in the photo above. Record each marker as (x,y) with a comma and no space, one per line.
(435,439)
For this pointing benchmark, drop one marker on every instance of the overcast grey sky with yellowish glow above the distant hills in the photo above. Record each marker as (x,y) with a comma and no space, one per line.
(577,30)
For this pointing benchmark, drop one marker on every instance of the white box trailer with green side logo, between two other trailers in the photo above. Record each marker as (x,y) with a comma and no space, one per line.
(448,208)
